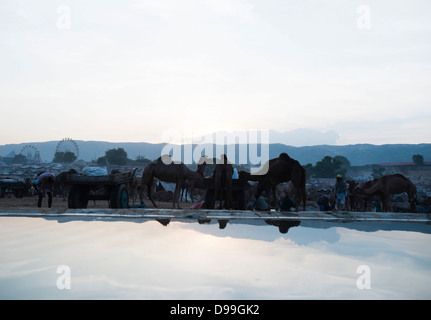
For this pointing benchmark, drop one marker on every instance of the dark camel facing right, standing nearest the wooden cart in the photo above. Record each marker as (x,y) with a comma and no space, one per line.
(172,172)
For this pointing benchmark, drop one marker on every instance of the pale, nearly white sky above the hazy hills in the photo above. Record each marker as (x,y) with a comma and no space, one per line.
(130,70)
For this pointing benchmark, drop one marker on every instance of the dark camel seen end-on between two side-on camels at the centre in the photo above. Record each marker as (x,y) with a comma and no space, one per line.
(223,182)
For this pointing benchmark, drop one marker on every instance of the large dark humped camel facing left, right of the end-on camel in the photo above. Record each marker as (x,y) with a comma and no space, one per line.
(279,170)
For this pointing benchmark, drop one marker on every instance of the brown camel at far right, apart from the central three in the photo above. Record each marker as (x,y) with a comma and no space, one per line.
(392,184)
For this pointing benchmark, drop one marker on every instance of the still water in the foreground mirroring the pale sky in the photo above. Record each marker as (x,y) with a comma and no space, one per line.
(146,260)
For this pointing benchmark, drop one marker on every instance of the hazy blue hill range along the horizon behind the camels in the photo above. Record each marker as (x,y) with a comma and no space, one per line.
(358,154)
